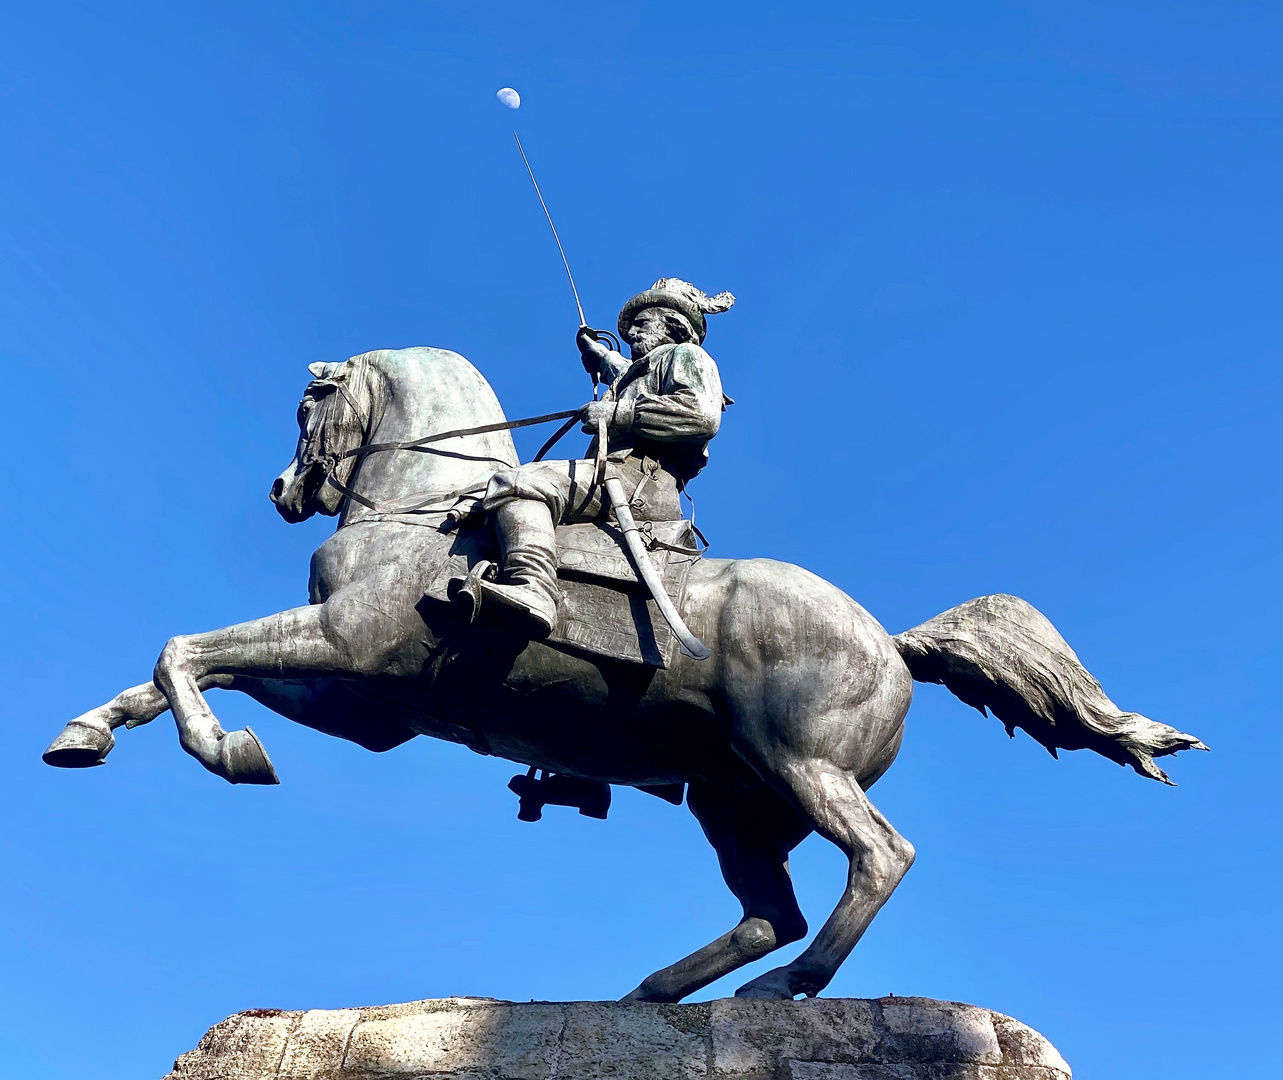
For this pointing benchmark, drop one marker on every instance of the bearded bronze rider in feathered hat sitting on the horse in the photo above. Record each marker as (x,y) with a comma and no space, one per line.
(661,411)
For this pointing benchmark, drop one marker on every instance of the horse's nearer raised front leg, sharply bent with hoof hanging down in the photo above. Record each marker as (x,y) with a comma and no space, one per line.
(351,634)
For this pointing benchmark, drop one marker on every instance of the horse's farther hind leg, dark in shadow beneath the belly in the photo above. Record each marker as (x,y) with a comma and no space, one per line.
(752,833)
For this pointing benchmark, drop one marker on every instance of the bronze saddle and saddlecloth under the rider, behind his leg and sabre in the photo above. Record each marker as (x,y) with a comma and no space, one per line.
(605,609)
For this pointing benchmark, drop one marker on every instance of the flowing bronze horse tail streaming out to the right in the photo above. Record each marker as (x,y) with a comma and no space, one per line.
(1001,655)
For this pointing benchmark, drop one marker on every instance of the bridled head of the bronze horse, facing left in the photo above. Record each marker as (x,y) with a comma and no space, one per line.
(330,425)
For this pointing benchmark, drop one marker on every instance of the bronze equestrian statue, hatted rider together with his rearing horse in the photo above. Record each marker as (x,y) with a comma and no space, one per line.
(781,737)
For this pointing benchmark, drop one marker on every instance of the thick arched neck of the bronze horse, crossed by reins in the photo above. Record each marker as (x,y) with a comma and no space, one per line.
(423,392)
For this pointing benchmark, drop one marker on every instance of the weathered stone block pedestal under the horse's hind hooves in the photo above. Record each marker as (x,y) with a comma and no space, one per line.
(728,1040)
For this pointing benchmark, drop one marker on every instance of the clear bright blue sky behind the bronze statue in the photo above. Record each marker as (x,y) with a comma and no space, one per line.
(1009,320)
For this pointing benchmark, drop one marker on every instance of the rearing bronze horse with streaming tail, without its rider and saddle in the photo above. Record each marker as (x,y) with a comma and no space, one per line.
(781,733)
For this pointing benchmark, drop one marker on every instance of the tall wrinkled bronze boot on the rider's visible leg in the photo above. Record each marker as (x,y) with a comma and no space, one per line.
(528,543)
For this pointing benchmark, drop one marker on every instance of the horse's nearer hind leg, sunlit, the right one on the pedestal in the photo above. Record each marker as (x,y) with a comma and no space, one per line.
(879,859)
